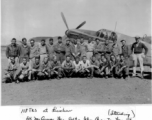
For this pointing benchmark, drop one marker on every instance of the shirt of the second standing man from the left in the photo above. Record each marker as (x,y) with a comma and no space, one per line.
(24,51)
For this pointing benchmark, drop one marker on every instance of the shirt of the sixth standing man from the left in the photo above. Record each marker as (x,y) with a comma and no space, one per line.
(59,48)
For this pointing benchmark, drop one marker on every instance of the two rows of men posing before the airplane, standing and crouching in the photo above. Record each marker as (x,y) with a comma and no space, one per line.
(72,59)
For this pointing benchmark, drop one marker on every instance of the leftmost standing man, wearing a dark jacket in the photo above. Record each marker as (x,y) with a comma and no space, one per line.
(13,50)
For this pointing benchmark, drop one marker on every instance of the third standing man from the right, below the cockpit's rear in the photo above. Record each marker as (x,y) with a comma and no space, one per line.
(115,48)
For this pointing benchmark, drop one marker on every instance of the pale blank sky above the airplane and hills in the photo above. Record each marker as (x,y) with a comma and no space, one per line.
(31,18)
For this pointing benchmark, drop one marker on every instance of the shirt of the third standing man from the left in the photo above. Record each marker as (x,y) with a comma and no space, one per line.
(34,51)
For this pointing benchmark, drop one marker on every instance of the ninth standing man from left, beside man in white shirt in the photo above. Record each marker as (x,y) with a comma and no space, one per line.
(83,47)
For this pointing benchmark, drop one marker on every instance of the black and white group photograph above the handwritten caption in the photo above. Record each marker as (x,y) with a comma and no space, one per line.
(79,52)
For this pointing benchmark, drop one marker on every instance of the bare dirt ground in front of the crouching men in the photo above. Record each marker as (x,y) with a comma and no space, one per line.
(76,91)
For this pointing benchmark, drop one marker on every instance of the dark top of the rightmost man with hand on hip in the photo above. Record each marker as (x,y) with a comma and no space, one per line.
(139,48)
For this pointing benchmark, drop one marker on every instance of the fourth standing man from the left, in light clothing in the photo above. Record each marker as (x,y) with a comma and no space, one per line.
(43,51)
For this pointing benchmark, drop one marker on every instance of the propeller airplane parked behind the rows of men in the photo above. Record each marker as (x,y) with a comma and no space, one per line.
(101,34)
